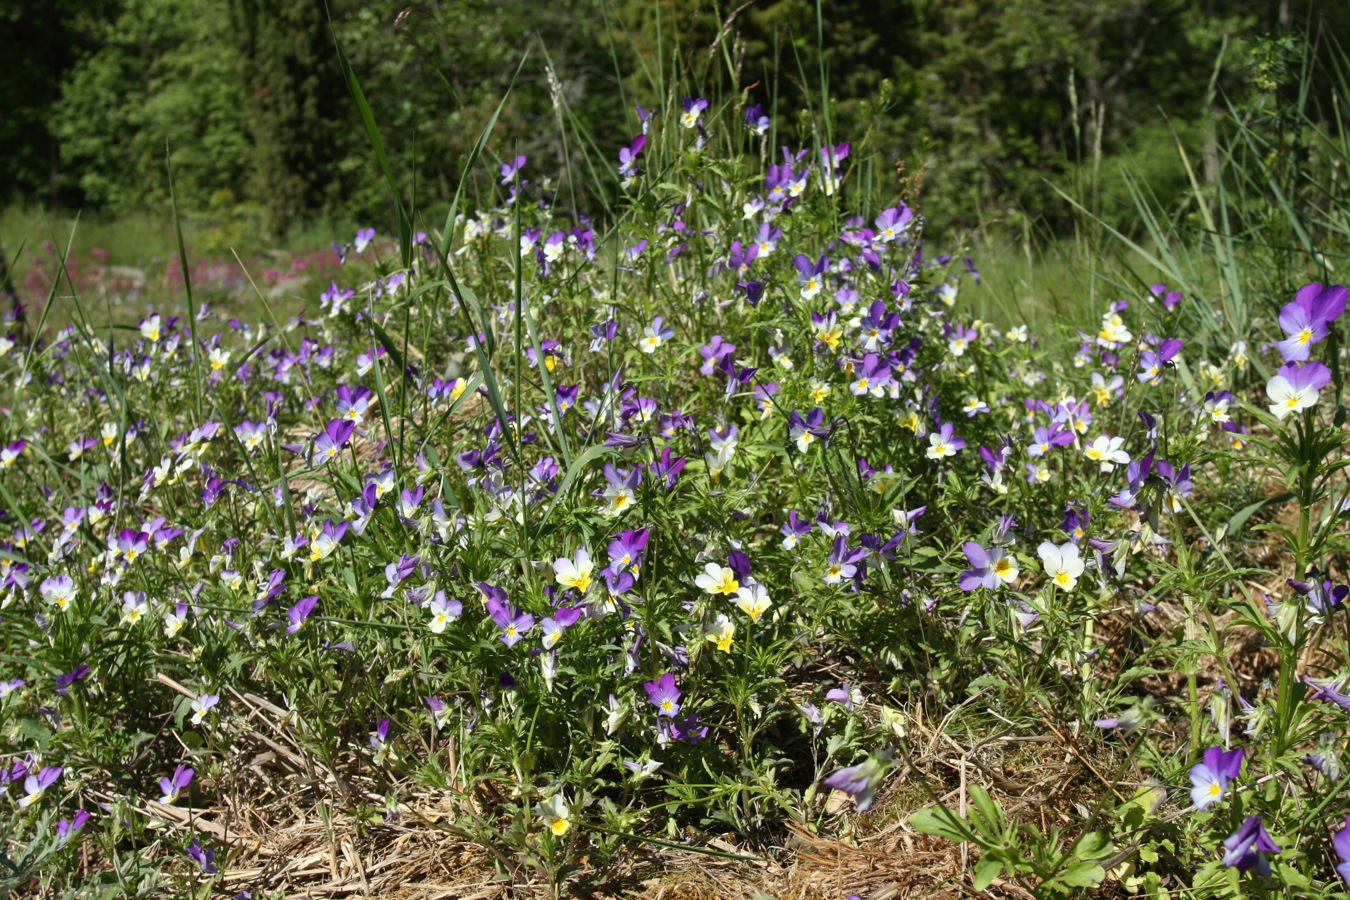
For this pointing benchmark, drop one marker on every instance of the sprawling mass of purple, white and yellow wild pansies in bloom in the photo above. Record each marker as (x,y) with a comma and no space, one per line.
(739,427)
